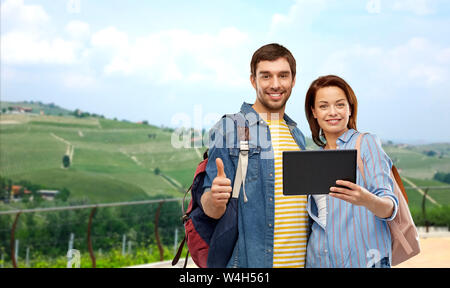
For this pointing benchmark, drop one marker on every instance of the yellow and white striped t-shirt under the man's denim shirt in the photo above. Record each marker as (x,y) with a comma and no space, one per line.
(291,217)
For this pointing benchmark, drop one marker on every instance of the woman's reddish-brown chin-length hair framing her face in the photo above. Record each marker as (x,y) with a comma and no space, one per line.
(322,82)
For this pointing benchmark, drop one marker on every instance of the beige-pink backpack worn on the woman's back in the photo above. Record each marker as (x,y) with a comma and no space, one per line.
(404,236)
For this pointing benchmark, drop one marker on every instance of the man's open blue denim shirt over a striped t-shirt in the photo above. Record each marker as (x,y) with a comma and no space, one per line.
(254,247)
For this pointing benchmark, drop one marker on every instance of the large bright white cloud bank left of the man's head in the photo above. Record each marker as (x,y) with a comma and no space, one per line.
(164,56)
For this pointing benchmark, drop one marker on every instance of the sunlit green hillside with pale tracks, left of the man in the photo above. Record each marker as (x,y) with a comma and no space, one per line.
(111,161)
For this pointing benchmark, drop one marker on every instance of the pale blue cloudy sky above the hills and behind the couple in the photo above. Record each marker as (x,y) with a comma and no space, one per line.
(186,63)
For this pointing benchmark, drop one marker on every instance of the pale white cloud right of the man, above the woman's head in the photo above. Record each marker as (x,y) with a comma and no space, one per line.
(413,61)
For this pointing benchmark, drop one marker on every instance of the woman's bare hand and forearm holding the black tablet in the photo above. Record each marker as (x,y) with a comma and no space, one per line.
(360,196)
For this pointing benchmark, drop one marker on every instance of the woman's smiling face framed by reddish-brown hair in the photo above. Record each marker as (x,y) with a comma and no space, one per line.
(332,110)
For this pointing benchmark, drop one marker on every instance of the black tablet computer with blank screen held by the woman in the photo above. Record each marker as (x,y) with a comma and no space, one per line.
(314,172)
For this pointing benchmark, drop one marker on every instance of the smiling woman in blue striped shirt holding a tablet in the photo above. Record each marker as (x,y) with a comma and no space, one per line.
(350,224)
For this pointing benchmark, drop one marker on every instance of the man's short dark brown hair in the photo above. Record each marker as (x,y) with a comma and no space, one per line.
(272,52)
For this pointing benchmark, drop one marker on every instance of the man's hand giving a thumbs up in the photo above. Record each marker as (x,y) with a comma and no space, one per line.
(215,201)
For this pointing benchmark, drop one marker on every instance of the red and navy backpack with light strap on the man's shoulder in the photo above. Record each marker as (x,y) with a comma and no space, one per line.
(210,242)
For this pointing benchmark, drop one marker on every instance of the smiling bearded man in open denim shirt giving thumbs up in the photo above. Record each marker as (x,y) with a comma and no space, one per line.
(273,228)
